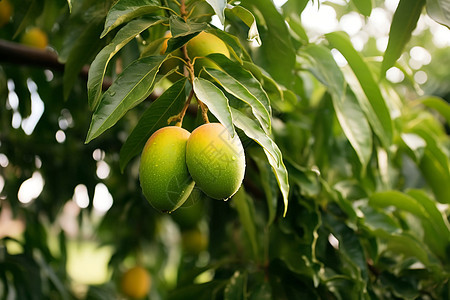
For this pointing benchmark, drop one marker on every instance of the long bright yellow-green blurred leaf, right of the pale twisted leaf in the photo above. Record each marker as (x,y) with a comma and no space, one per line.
(383,123)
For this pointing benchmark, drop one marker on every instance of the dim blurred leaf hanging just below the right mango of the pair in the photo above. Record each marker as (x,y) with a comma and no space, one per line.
(246,210)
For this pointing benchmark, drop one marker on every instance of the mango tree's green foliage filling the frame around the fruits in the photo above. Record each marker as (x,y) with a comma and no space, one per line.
(347,187)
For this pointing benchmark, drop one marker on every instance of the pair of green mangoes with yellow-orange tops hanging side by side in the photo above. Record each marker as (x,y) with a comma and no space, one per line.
(174,161)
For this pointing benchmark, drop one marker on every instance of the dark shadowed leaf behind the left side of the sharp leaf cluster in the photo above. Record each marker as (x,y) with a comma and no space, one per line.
(84,48)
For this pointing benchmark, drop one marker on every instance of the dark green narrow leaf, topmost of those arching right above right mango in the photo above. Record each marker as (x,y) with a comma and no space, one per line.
(244,77)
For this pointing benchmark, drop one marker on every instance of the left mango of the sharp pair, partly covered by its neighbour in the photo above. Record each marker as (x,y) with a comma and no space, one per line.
(164,177)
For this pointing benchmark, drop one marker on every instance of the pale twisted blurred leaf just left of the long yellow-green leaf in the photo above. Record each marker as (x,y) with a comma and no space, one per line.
(349,113)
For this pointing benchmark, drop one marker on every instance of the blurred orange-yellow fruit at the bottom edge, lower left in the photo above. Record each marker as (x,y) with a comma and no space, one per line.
(135,282)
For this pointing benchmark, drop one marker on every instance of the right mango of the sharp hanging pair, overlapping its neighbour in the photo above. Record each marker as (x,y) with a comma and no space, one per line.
(215,161)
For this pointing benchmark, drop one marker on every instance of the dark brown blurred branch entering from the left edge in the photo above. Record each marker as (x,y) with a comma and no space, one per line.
(18,54)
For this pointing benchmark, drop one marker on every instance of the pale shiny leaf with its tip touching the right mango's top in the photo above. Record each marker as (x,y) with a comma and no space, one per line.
(216,101)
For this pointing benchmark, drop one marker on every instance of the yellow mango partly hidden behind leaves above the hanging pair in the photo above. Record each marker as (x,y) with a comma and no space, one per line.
(202,45)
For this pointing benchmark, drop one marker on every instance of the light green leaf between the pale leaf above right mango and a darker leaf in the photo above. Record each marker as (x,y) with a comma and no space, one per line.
(235,88)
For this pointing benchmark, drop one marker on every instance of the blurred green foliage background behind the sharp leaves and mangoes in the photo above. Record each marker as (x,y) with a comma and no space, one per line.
(368,214)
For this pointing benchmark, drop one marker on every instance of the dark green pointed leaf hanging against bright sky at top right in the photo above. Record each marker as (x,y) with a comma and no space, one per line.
(403,23)
